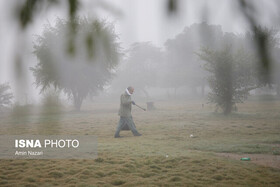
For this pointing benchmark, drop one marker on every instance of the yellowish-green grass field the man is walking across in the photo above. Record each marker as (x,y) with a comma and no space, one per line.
(165,155)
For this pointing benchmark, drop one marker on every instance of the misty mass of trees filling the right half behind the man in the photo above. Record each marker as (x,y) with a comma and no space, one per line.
(203,55)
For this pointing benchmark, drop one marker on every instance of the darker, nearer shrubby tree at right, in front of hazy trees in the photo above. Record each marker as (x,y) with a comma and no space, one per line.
(231,76)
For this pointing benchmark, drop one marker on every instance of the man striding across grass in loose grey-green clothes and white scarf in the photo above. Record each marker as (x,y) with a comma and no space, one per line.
(125,113)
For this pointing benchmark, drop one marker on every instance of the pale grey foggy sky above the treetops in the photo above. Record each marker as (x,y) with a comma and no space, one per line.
(135,21)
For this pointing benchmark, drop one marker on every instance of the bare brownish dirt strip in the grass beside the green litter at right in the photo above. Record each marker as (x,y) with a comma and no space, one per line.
(260,159)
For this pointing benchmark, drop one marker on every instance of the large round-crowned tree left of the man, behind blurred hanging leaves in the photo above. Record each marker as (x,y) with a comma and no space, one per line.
(84,71)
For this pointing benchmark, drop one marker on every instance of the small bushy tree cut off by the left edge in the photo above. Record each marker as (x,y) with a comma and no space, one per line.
(5,96)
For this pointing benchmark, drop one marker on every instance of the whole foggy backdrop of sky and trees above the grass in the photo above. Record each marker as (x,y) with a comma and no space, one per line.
(166,49)
